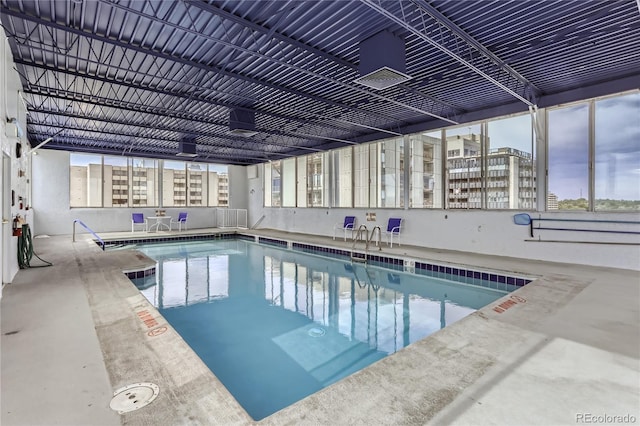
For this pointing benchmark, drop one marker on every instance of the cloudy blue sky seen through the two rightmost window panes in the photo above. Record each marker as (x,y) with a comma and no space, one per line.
(617,149)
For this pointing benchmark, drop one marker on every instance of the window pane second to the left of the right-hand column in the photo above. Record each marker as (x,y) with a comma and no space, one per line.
(464,167)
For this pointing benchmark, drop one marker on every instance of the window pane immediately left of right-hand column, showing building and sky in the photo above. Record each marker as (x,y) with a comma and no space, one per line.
(510,182)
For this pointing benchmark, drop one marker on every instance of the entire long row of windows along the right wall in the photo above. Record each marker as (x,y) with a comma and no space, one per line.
(593,163)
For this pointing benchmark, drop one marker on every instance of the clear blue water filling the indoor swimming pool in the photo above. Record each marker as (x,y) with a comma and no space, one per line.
(277,325)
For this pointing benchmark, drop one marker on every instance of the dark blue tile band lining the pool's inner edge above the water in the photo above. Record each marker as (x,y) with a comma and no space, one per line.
(456,273)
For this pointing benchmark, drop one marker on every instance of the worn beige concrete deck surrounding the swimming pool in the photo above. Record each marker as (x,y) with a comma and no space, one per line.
(566,352)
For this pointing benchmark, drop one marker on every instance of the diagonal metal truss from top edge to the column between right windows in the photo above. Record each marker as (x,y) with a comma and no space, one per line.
(427,23)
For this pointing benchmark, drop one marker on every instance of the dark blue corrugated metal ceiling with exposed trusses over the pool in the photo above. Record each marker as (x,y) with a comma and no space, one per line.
(133,77)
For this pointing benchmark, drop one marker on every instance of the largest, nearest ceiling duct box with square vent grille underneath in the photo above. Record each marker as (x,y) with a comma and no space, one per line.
(382,61)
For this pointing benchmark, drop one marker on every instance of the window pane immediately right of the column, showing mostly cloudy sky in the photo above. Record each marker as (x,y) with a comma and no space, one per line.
(568,187)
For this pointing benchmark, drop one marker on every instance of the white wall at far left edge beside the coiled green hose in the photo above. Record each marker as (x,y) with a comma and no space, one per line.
(11,106)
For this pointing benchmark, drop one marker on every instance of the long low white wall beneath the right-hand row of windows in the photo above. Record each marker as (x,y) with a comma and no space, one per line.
(476,231)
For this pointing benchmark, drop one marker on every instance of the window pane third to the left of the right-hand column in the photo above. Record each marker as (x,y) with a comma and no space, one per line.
(425,186)
